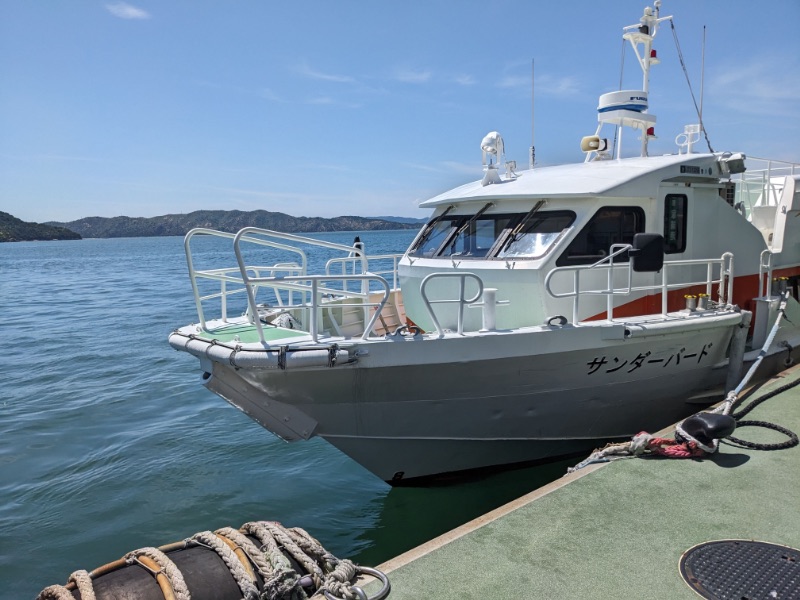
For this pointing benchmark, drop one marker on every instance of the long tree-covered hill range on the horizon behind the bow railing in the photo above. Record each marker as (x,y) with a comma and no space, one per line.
(223,220)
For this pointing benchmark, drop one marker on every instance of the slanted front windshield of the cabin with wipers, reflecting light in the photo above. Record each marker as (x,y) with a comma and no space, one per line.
(481,235)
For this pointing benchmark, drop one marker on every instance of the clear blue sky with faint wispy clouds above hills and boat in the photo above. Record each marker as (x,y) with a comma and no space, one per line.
(325,108)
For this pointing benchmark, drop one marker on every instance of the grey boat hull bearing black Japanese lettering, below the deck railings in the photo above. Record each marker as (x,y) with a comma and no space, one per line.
(412,409)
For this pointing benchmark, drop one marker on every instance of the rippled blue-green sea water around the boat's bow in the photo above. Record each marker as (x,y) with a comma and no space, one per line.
(109,442)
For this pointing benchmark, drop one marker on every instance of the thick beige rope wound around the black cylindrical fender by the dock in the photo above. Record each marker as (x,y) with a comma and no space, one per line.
(264,572)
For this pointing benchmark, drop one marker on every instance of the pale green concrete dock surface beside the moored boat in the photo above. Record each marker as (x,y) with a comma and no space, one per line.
(618,530)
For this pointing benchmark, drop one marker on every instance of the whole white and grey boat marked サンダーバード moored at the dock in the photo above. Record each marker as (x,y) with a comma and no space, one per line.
(539,313)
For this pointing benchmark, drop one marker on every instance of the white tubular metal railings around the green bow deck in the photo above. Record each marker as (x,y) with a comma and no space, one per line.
(288,281)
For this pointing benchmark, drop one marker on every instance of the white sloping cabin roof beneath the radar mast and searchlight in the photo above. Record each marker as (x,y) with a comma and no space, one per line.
(626,178)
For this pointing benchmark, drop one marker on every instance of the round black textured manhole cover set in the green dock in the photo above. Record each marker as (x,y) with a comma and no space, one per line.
(742,570)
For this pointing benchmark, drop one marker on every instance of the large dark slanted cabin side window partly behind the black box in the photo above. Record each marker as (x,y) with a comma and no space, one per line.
(610,225)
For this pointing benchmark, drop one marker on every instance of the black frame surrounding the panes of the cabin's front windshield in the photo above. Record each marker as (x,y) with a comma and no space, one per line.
(459,224)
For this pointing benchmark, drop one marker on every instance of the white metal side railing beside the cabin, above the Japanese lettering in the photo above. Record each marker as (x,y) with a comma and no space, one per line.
(724,280)
